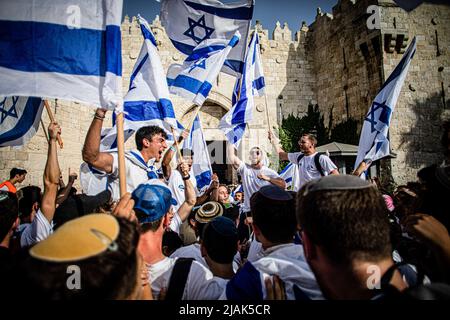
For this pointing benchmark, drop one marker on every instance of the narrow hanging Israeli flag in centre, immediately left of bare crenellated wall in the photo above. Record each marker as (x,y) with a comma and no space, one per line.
(234,122)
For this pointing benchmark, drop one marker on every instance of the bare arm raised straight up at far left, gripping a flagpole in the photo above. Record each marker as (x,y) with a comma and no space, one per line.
(51,174)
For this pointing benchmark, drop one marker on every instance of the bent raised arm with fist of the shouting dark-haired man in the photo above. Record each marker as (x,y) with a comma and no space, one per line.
(91,149)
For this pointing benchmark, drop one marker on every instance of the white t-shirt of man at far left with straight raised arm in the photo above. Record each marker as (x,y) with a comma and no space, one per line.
(36,231)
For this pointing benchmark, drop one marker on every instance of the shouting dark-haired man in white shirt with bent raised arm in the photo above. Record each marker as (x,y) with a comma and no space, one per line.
(139,164)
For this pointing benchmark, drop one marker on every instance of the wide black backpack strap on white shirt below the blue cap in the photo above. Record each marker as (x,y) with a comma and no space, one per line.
(178,279)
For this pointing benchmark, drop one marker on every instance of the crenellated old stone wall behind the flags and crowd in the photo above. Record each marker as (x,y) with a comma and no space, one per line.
(336,62)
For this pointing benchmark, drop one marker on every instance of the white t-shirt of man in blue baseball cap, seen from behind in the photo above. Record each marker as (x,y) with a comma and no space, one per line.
(200,283)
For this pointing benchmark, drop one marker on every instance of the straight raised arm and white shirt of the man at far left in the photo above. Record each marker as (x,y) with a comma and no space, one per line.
(41,225)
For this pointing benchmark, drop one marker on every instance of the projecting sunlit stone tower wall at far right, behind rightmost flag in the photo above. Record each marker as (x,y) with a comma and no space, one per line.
(424,102)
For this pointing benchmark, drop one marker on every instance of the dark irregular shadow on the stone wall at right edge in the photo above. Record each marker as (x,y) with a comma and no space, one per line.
(423,140)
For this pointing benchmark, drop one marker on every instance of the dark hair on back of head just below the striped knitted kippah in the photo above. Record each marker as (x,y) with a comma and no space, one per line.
(220,248)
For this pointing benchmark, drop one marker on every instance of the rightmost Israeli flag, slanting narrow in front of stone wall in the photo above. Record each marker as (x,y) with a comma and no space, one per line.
(374,142)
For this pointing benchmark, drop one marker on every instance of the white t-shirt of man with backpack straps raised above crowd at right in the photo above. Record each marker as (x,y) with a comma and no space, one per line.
(307,170)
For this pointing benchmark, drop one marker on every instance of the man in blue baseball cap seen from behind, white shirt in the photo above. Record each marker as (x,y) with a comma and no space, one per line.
(153,206)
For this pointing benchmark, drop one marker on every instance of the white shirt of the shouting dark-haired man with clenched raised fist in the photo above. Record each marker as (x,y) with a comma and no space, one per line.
(137,172)
